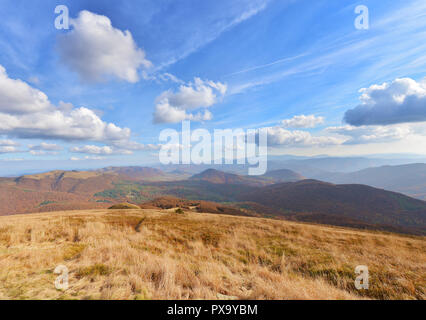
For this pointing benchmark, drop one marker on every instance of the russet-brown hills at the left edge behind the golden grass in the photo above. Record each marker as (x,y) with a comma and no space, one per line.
(71,190)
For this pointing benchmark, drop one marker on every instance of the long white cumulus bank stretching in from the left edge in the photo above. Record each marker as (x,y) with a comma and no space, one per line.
(28,114)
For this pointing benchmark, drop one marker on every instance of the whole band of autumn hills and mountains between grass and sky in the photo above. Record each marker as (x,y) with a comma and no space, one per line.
(279,194)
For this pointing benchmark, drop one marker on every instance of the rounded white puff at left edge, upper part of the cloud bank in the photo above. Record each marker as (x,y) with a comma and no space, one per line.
(17,97)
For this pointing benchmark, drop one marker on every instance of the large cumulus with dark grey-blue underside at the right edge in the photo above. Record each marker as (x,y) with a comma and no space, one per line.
(400,101)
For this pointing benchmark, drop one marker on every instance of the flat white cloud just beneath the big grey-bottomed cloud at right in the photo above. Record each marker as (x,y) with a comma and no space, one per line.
(372,134)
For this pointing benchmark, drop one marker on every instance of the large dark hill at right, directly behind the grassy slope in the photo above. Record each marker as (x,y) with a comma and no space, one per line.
(351,205)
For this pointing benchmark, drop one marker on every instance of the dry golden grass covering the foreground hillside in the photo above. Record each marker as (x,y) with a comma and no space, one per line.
(152,254)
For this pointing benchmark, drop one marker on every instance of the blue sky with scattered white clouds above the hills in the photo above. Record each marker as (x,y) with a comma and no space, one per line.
(100,92)
